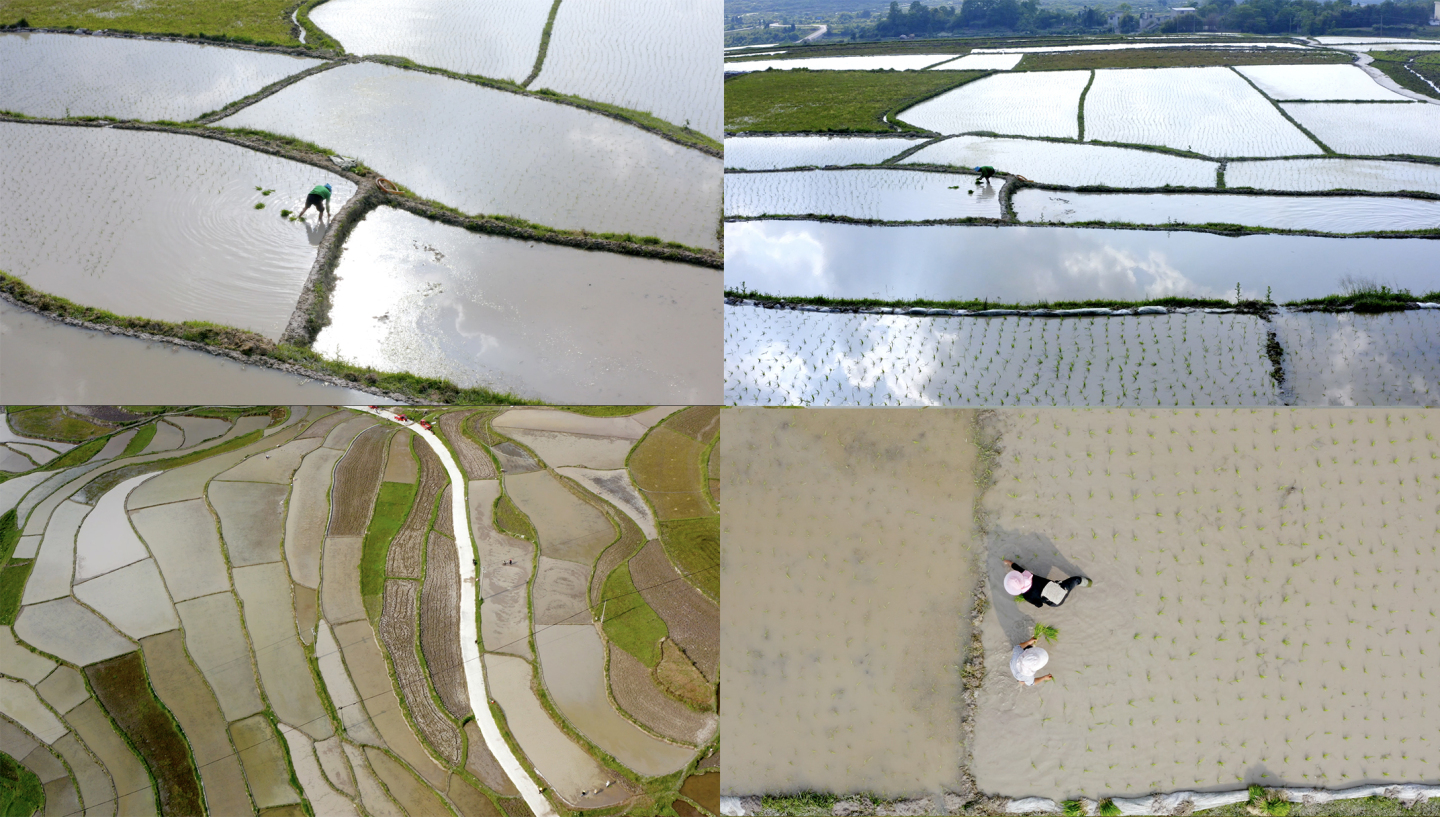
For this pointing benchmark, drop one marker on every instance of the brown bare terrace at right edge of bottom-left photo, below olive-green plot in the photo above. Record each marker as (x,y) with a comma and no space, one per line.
(693,620)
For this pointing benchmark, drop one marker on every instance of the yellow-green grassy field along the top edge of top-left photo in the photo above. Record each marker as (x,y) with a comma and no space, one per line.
(260,22)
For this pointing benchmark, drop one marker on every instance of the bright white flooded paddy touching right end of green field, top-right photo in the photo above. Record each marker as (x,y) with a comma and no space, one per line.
(1045,103)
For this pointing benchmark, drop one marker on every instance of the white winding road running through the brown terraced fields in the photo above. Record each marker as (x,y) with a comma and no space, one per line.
(469,640)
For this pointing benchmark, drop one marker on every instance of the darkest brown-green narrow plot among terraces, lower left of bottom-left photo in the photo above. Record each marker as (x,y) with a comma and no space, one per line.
(123,688)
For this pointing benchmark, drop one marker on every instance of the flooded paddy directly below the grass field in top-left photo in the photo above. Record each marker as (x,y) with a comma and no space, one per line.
(74,76)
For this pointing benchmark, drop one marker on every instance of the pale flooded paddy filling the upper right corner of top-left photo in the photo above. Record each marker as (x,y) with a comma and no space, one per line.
(659,57)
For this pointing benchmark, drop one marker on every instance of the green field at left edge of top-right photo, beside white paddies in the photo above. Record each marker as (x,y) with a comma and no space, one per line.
(832,102)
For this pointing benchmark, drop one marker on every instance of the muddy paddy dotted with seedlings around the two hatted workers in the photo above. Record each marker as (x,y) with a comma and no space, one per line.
(1251,570)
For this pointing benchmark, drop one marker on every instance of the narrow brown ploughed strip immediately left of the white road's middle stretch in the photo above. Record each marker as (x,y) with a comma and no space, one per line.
(440,626)
